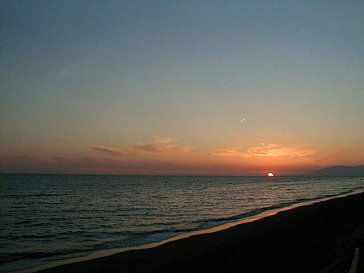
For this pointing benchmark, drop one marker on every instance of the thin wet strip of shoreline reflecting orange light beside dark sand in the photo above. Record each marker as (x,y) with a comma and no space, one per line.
(105,255)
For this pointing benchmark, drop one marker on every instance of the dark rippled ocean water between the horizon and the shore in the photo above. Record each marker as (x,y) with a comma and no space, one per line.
(47,218)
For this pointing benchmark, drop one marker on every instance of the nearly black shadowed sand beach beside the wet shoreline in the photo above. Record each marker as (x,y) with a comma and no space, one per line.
(315,238)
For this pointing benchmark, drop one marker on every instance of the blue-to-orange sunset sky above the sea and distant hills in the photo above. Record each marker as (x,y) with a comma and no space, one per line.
(181,87)
